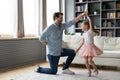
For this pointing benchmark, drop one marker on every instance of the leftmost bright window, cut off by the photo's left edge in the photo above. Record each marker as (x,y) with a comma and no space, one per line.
(8,17)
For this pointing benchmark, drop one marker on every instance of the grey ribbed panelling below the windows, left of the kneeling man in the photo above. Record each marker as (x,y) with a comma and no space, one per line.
(20,51)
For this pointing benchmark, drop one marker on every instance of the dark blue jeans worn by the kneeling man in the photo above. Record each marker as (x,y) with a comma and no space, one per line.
(54,60)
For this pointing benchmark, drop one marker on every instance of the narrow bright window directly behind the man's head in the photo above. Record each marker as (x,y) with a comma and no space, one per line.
(51,8)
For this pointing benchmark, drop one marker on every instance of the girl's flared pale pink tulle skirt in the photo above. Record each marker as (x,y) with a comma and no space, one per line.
(89,50)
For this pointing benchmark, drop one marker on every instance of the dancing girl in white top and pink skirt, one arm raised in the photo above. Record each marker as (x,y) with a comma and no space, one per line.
(89,50)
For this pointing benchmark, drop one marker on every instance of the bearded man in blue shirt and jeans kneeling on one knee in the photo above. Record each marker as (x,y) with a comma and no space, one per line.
(52,38)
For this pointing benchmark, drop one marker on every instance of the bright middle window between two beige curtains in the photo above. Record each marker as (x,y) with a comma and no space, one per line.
(31,16)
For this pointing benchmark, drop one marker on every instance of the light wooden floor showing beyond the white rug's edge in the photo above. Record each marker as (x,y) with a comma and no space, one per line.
(11,73)
